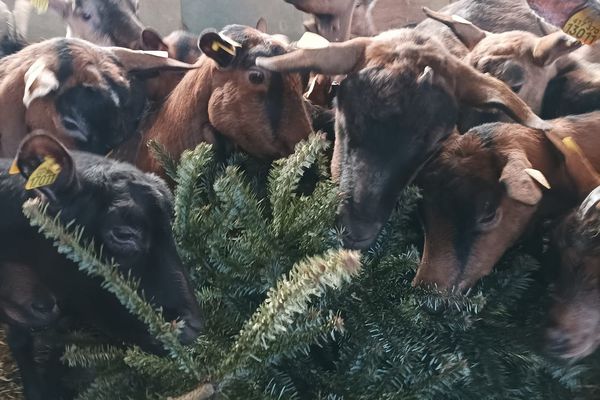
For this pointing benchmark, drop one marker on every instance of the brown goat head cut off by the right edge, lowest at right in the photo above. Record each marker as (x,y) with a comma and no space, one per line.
(574,330)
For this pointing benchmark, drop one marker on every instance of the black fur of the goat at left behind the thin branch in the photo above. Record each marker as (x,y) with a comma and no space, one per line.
(126,211)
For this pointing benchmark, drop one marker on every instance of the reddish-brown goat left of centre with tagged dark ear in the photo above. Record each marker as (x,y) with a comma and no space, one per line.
(228,98)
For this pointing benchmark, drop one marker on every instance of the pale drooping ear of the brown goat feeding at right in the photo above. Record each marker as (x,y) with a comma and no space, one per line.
(521,181)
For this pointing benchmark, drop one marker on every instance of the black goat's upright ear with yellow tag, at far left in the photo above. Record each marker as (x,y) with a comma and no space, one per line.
(46,165)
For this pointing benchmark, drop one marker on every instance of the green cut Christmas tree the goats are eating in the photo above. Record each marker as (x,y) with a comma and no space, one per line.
(291,315)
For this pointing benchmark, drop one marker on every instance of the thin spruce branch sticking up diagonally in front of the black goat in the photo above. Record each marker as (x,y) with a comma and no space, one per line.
(70,242)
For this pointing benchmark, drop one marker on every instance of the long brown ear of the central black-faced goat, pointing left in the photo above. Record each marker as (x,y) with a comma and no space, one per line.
(335,59)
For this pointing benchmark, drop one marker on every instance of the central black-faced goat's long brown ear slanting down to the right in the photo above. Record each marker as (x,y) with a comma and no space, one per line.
(478,90)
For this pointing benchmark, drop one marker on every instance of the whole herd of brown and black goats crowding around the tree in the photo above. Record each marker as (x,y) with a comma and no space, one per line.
(421,104)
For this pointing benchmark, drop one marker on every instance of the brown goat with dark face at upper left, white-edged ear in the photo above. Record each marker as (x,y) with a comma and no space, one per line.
(90,97)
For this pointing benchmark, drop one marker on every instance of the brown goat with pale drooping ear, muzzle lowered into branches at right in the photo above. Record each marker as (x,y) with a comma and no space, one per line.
(488,187)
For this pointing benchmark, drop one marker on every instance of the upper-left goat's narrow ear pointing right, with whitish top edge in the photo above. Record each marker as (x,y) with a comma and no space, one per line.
(136,61)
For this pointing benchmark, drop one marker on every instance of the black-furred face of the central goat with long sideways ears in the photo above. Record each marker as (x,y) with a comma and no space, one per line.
(389,128)
